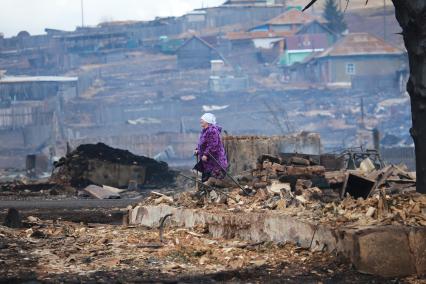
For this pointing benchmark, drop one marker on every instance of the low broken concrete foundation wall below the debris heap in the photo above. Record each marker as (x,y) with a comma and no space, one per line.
(389,251)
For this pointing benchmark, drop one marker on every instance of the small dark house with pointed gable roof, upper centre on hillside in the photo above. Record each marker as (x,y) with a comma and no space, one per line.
(196,53)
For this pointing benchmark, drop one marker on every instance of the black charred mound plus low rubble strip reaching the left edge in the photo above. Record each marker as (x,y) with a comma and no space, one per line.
(92,171)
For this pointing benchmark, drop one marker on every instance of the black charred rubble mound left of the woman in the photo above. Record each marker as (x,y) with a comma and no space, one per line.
(104,165)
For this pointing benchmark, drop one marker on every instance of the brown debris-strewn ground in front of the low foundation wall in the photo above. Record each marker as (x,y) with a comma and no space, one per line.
(58,251)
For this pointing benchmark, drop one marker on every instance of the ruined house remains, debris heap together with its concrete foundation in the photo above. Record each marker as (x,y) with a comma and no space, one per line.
(290,198)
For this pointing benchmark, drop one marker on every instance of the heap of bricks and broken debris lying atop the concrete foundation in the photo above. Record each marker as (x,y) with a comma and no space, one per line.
(303,189)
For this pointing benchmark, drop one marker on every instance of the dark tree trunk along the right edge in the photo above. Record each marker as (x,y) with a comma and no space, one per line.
(411,15)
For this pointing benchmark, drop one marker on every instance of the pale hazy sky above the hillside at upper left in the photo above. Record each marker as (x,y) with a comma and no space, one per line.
(36,15)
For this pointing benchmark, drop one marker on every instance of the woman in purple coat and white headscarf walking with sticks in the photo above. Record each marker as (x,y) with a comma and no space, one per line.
(210,149)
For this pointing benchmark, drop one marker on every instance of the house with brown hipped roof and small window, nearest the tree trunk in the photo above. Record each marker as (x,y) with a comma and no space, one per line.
(358,58)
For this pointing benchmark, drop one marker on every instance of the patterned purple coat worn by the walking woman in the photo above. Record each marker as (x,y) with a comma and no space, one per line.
(210,143)
